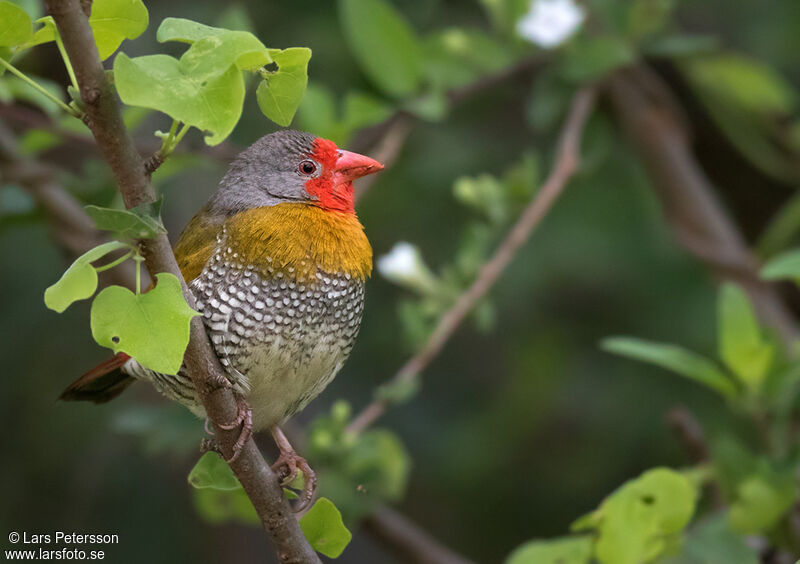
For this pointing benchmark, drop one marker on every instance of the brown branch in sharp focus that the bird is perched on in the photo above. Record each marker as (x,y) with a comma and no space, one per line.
(105,121)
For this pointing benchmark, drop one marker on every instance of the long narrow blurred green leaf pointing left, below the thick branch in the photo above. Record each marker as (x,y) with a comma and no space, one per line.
(674,358)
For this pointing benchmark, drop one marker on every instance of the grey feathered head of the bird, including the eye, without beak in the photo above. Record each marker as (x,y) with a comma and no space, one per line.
(273,170)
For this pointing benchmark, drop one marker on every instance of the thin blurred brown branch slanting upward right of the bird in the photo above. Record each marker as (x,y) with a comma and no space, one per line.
(566,163)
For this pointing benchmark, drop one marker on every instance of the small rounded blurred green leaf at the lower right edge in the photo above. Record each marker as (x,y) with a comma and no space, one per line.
(762,500)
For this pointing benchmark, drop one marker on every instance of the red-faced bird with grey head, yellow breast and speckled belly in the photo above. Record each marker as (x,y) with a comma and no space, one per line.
(276,261)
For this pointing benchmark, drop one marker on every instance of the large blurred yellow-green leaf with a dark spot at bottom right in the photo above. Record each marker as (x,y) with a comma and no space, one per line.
(639,521)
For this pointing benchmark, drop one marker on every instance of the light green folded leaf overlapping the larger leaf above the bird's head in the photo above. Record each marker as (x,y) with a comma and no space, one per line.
(213,50)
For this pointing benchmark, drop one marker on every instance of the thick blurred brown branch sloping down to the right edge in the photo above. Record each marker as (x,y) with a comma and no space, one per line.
(646,111)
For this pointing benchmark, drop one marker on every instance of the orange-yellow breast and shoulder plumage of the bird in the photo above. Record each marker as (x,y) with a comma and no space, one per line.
(293,238)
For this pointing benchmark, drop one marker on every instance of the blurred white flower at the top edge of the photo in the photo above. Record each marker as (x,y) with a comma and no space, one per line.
(550,22)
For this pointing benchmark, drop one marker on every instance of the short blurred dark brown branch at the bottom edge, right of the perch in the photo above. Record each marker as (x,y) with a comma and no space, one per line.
(412,544)
